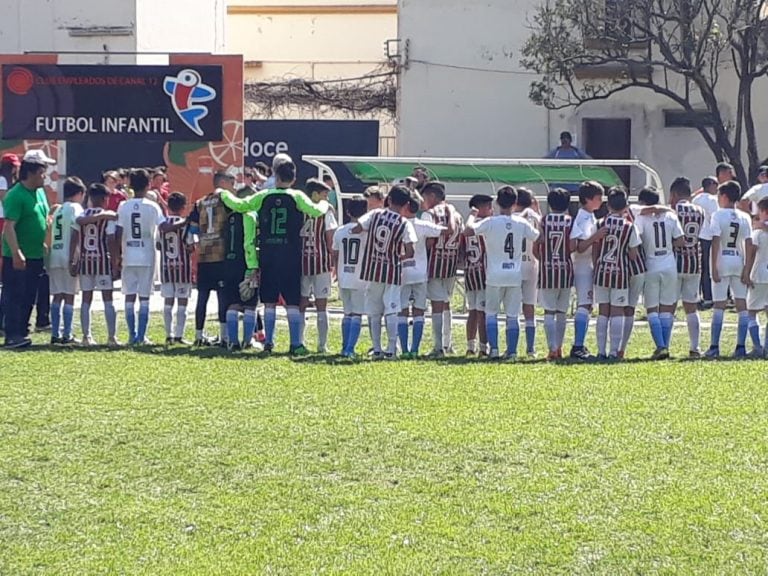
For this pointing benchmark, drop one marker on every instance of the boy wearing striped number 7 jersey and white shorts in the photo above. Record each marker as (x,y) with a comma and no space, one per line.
(555,269)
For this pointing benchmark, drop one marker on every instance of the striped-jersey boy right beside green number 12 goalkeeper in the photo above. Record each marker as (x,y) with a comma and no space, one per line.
(317,262)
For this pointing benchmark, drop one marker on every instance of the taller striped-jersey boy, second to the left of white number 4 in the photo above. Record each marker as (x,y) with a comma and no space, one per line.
(443,263)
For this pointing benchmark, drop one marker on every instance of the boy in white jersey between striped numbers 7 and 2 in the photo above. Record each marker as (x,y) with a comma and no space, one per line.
(584,235)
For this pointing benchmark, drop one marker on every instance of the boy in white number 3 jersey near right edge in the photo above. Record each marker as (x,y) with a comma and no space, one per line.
(731,241)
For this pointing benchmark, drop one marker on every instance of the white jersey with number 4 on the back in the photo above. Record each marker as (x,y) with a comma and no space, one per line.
(504,237)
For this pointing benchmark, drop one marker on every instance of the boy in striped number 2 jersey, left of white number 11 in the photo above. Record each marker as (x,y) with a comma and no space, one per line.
(612,255)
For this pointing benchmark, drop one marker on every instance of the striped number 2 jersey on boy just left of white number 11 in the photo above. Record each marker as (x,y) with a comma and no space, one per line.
(612,266)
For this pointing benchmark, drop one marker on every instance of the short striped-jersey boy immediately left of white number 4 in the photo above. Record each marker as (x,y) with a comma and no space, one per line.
(474,276)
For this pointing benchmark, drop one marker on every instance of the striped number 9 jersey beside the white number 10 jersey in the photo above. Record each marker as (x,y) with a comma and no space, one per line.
(388,233)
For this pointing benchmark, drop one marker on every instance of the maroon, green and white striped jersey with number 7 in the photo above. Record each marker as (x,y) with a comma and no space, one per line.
(556,266)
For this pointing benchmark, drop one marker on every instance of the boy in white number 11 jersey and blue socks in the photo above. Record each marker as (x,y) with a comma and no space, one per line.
(660,233)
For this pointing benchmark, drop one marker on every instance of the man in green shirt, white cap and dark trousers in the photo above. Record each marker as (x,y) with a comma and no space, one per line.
(26,222)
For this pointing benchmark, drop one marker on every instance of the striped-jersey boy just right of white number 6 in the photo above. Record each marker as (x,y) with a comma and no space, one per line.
(176,271)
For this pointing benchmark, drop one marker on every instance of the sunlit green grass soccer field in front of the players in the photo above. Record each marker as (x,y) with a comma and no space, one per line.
(198,462)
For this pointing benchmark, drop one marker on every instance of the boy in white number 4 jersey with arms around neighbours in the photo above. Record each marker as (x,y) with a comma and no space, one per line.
(504,236)
